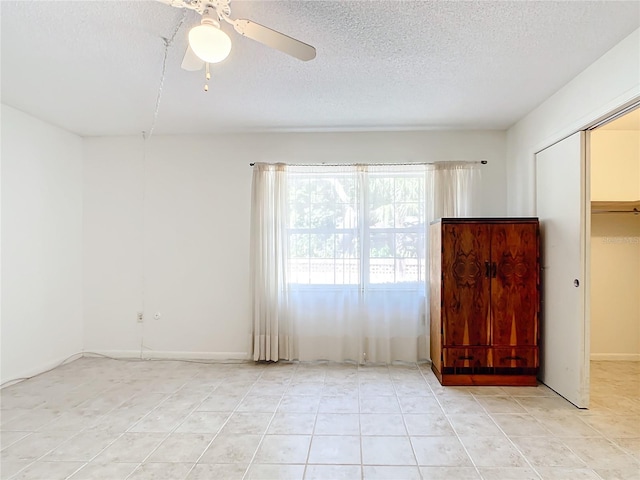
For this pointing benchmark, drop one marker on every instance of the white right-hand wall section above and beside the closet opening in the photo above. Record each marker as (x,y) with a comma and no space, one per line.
(612,81)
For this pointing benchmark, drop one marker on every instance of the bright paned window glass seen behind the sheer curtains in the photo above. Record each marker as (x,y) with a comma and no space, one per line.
(363,227)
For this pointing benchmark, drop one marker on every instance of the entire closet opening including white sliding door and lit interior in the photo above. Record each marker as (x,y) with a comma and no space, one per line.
(608,153)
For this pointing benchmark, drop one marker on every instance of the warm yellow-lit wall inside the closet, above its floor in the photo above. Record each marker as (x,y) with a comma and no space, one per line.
(615,244)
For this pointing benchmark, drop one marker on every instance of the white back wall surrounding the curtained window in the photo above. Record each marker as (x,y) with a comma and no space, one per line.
(166,227)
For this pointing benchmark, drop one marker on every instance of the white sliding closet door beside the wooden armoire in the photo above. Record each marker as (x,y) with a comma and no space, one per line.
(563,208)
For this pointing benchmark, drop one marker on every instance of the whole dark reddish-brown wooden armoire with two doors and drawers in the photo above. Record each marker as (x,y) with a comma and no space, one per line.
(485,298)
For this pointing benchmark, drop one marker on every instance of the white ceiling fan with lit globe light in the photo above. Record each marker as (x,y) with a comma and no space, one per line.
(209,44)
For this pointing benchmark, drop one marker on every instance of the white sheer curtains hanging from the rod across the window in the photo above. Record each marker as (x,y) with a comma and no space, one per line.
(339,257)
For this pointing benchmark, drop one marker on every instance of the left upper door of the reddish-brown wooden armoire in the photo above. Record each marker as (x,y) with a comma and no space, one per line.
(465,285)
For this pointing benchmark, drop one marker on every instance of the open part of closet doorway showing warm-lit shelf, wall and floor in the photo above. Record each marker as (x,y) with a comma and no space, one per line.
(614,297)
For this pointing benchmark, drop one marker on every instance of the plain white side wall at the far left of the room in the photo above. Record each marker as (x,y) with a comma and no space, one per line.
(41,245)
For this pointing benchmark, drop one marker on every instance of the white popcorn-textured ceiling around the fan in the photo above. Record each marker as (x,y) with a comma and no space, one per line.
(95,67)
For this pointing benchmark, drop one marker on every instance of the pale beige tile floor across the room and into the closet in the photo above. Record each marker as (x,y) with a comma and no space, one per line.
(104,419)
